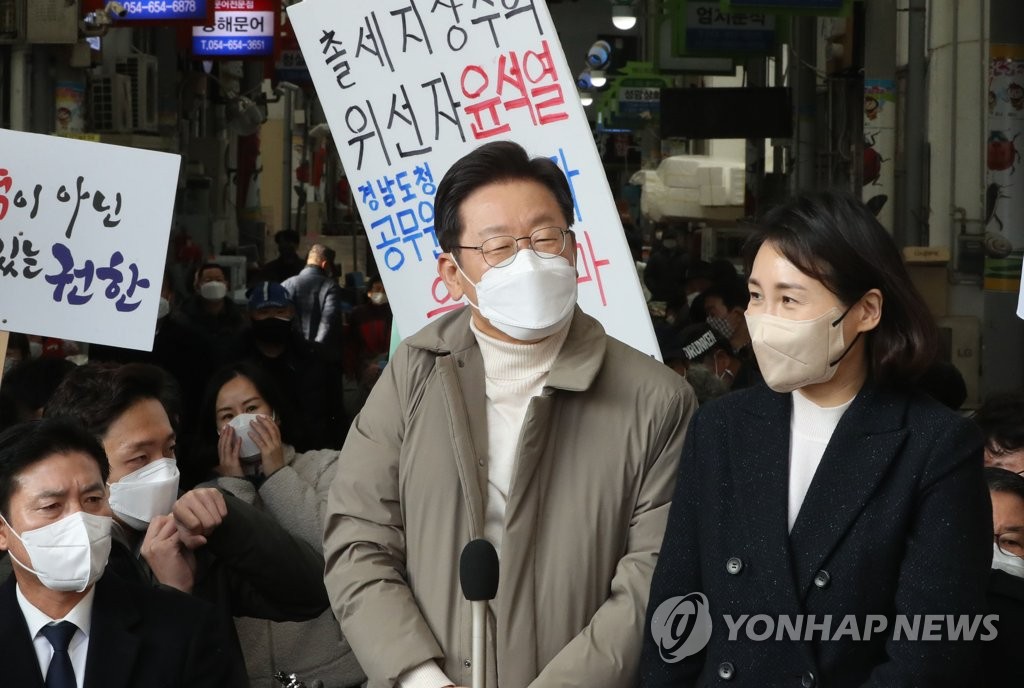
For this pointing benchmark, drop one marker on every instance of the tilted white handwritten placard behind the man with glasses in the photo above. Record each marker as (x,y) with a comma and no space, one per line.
(410,87)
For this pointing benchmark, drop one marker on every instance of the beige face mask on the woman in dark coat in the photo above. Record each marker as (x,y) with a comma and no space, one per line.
(796,354)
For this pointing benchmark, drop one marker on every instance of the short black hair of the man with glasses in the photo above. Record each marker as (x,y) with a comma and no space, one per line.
(492,163)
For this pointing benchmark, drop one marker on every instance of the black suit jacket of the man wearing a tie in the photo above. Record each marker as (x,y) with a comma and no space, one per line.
(141,638)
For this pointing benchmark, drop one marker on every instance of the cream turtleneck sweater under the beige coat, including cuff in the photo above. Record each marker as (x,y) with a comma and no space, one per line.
(515,374)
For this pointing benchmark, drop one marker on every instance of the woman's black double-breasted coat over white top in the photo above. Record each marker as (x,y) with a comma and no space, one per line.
(897,521)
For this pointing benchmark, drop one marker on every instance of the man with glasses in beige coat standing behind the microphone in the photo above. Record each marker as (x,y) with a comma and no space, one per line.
(517,420)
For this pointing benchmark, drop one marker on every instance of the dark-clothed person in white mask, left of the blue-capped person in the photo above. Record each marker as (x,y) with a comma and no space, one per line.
(210,315)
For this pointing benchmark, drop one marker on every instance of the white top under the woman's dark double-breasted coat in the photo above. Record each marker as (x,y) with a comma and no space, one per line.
(810,429)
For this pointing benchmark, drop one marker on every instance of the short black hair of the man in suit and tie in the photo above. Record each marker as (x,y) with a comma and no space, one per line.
(28,444)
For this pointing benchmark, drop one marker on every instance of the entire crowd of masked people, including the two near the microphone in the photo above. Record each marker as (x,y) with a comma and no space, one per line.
(269,493)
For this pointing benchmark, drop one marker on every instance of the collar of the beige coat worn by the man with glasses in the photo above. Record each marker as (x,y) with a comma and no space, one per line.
(576,367)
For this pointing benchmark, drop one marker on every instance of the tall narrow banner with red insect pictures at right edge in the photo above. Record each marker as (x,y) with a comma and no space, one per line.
(1005,179)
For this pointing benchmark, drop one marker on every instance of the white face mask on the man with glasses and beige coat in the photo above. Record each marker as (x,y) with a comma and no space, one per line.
(531,299)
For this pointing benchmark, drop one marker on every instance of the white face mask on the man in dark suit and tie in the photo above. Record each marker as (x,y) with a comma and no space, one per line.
(69,555)
